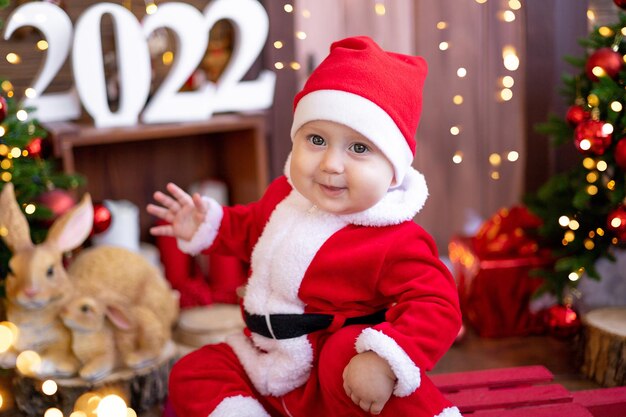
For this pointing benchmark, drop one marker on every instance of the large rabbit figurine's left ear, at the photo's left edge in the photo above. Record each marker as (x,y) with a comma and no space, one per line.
(17,233)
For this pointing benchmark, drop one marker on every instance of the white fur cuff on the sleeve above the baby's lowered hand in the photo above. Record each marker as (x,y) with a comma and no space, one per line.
(406,371)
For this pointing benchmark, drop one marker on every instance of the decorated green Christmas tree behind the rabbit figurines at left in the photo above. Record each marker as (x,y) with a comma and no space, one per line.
(25,161)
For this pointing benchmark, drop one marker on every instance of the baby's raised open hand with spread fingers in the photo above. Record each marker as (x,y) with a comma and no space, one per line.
(183,212)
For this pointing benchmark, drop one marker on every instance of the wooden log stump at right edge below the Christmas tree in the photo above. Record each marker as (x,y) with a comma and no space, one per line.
(604,346)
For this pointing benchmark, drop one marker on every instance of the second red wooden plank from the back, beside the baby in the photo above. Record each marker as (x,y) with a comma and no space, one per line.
(484,399)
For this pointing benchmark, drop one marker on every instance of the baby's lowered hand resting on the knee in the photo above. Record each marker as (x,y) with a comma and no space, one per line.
(369,381)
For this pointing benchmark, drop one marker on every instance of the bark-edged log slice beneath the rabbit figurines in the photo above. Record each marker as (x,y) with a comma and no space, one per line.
(141,389)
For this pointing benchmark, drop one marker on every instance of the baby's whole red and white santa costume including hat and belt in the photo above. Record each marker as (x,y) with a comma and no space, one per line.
(342,270)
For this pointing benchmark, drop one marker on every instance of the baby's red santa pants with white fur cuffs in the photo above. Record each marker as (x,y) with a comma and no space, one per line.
(201,380)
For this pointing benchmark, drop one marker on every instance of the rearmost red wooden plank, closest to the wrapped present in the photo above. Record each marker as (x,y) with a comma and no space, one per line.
(503,377)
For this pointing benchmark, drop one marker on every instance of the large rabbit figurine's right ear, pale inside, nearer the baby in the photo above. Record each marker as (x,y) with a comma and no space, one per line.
(71,229)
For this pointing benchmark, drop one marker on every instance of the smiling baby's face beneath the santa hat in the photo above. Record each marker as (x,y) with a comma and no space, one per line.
(338,169)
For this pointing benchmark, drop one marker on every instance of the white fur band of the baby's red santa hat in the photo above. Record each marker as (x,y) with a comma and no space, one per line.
(362,115)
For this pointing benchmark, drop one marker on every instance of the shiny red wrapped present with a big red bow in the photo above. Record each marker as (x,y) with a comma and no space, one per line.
(492,270)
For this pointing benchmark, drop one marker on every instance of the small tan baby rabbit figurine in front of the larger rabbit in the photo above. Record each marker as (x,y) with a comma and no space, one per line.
(93,326)
